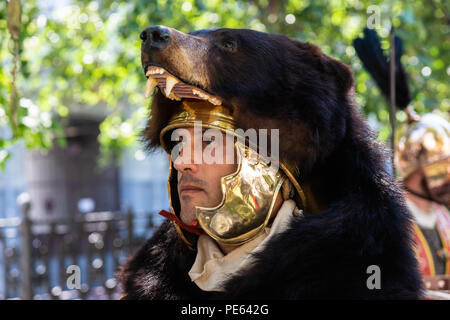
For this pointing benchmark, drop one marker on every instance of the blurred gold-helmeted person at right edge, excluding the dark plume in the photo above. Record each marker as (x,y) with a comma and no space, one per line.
(423,161)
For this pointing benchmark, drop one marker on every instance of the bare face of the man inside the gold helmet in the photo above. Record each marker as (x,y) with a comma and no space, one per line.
(199,184)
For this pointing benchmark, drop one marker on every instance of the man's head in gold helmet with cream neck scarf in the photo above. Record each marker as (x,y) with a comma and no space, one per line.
(232,205)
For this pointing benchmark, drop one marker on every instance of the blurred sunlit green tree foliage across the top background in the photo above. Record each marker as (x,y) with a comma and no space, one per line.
(84,57)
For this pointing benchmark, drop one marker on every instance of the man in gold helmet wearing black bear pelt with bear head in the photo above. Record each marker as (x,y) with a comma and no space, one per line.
(311,219)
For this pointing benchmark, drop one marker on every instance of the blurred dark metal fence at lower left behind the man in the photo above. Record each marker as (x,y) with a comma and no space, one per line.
(67,258)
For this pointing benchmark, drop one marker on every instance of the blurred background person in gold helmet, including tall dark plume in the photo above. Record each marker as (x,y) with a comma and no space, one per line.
(422,155)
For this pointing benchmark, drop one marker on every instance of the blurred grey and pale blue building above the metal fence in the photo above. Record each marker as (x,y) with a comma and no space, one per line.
(65,181)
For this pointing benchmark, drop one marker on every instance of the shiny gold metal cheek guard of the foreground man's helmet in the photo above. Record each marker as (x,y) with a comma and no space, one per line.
(248,198)
